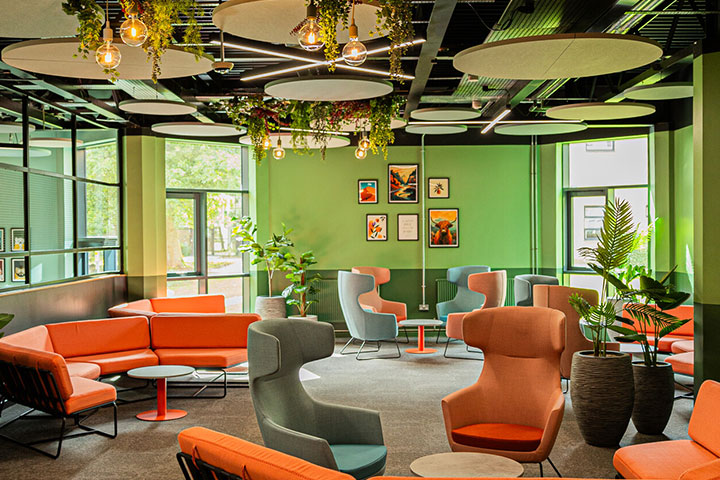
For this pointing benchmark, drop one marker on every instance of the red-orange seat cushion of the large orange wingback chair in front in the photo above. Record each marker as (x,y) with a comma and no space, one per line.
(499,436)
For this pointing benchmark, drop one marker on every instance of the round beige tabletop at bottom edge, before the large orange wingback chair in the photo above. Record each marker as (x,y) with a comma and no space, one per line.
(466,465)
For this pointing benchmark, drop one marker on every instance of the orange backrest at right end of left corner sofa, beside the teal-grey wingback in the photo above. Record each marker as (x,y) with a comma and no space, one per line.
(227,330)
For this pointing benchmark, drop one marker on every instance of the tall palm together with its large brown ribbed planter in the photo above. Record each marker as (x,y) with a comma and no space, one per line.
(601,387)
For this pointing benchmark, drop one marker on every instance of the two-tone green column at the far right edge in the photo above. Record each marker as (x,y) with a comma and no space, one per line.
(706,178)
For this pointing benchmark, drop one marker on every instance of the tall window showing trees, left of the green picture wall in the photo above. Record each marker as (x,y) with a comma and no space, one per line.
(206,190)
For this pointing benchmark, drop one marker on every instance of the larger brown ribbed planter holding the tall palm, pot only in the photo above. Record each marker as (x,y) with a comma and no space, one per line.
(602,392)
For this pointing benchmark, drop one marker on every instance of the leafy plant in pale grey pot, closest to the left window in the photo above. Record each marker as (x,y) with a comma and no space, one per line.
(272,255)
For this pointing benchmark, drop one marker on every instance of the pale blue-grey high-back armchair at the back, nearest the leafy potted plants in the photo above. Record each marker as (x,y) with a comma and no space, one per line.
(363,325)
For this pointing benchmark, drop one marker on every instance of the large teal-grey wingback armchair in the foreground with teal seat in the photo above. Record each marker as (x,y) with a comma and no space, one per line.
(347,439)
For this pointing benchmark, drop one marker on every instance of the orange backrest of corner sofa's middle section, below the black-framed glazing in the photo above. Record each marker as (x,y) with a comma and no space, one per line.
(92,337)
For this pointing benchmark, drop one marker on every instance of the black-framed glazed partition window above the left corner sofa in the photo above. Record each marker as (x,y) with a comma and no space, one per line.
(60,215)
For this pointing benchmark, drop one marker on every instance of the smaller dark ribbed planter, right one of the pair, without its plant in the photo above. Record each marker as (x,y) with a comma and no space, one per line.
(654,397)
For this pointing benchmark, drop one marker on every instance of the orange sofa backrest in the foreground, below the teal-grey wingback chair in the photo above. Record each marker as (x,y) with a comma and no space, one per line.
(248,460)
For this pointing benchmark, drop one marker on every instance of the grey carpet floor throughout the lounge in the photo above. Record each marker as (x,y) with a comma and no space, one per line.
(407,392)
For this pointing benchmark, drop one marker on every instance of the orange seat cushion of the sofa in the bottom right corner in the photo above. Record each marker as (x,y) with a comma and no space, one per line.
(660,459)
